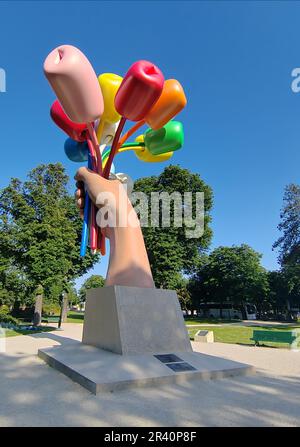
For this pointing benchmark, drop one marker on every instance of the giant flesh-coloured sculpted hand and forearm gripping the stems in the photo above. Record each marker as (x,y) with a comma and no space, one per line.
(128,260)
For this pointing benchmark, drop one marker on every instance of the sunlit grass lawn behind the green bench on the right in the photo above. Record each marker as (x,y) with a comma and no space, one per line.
(239,334)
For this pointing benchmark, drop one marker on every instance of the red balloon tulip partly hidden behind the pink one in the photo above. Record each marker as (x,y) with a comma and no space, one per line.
(75,131)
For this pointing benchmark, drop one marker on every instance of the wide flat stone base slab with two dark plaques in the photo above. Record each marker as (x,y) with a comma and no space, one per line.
(99,370)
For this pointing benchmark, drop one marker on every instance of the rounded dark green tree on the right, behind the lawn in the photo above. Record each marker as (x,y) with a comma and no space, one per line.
(231,274)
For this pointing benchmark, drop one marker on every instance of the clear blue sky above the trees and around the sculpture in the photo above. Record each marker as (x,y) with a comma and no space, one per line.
(234,59)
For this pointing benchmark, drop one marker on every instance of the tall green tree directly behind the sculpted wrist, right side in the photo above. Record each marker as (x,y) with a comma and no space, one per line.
(169,249)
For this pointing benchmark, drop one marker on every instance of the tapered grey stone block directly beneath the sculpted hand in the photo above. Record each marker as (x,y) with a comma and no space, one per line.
(132,320)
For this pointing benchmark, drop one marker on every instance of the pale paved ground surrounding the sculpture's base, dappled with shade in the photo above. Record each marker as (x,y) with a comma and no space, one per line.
(33,394)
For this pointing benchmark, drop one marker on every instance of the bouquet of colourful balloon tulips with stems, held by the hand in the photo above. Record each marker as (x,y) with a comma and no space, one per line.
(93,110)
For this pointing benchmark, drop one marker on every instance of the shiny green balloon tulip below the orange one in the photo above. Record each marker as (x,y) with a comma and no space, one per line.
(167,139)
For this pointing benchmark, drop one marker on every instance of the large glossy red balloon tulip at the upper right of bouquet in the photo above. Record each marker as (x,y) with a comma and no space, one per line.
(140,89)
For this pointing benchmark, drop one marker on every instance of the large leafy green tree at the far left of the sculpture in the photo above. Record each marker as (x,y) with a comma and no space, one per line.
(41,231)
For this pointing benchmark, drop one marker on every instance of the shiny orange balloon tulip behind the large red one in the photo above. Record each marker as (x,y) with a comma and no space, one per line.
(170,103)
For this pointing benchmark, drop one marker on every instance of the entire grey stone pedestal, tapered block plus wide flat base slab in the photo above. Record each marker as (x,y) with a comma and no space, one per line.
(134,337)
